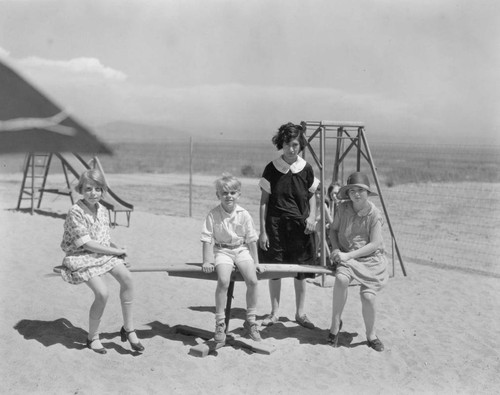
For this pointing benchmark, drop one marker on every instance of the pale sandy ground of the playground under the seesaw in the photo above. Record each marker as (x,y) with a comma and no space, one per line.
(440,327)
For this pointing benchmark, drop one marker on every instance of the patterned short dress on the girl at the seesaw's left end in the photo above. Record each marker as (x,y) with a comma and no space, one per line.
(80,227)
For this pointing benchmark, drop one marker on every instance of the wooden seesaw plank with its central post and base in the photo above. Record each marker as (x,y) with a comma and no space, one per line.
(194,270)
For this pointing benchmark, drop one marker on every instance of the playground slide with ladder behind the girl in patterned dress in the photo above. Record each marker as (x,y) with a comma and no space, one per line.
(36,171)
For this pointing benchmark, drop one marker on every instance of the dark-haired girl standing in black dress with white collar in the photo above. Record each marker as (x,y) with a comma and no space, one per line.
(287,216)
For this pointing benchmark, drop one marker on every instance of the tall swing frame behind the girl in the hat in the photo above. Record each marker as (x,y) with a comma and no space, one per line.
(354,134)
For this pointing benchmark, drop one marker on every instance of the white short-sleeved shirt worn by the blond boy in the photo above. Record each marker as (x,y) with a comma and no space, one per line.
(229,228)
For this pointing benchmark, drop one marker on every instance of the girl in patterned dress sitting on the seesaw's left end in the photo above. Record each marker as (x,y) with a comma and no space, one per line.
(90,254)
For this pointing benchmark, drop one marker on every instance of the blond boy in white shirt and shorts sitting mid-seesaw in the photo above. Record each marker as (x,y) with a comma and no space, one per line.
(231,229)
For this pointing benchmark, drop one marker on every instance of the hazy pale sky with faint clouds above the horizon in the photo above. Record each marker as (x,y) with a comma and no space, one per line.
(421,71)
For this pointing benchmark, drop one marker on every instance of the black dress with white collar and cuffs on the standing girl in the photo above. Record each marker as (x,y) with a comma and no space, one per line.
(290,188)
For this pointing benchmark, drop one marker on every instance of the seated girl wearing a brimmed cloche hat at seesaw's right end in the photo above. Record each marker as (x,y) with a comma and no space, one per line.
(358,250)
